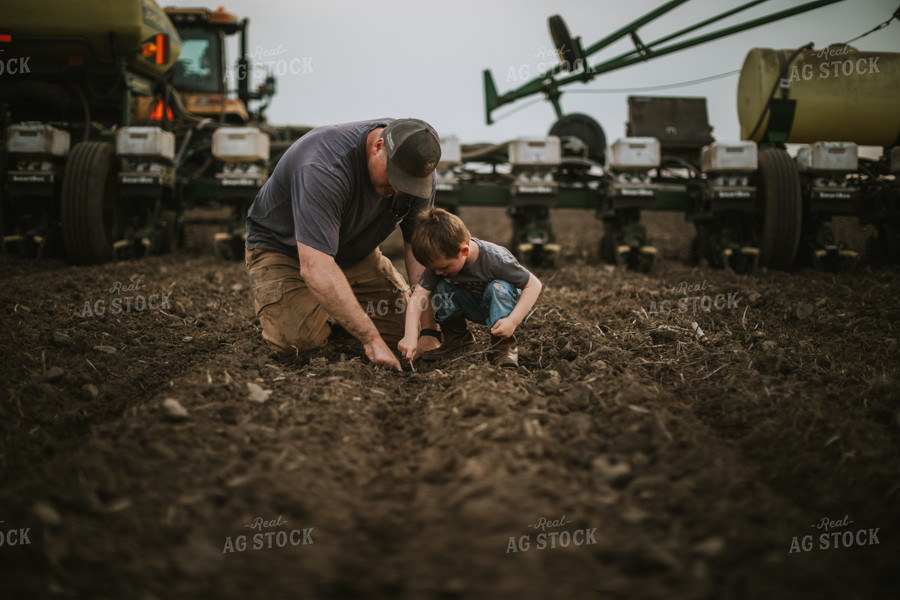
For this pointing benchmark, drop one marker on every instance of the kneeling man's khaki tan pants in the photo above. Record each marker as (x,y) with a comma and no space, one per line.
(291,316)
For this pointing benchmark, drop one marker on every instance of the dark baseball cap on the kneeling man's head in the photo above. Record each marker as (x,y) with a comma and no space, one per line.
(413,150)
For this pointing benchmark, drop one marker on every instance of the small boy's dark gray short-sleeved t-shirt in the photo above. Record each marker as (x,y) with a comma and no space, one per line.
(493,262)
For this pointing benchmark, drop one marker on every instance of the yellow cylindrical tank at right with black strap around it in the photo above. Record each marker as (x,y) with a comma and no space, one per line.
(842,94)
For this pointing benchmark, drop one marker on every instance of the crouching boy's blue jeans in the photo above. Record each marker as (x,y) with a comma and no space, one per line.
(497,302)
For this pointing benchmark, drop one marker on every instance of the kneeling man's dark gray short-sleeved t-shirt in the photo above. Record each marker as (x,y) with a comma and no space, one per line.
(320,194)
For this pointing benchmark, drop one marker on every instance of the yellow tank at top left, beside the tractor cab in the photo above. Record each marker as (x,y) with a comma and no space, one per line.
(133,21)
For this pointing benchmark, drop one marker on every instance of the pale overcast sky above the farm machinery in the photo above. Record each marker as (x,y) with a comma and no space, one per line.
(352,60)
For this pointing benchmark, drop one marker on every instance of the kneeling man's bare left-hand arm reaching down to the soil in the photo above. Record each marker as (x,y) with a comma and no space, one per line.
(330,287)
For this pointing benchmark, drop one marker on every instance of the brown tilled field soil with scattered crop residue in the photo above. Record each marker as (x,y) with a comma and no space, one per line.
(628,457)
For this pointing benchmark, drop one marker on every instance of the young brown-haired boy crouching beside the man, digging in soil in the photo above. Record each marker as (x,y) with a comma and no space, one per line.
(470,279)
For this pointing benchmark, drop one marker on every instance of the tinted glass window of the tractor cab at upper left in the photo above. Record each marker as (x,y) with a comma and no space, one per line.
(199,68)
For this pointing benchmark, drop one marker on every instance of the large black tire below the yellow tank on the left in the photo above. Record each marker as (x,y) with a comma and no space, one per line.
(88,203)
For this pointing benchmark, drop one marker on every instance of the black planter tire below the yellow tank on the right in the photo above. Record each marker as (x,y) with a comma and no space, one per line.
(781,203)
